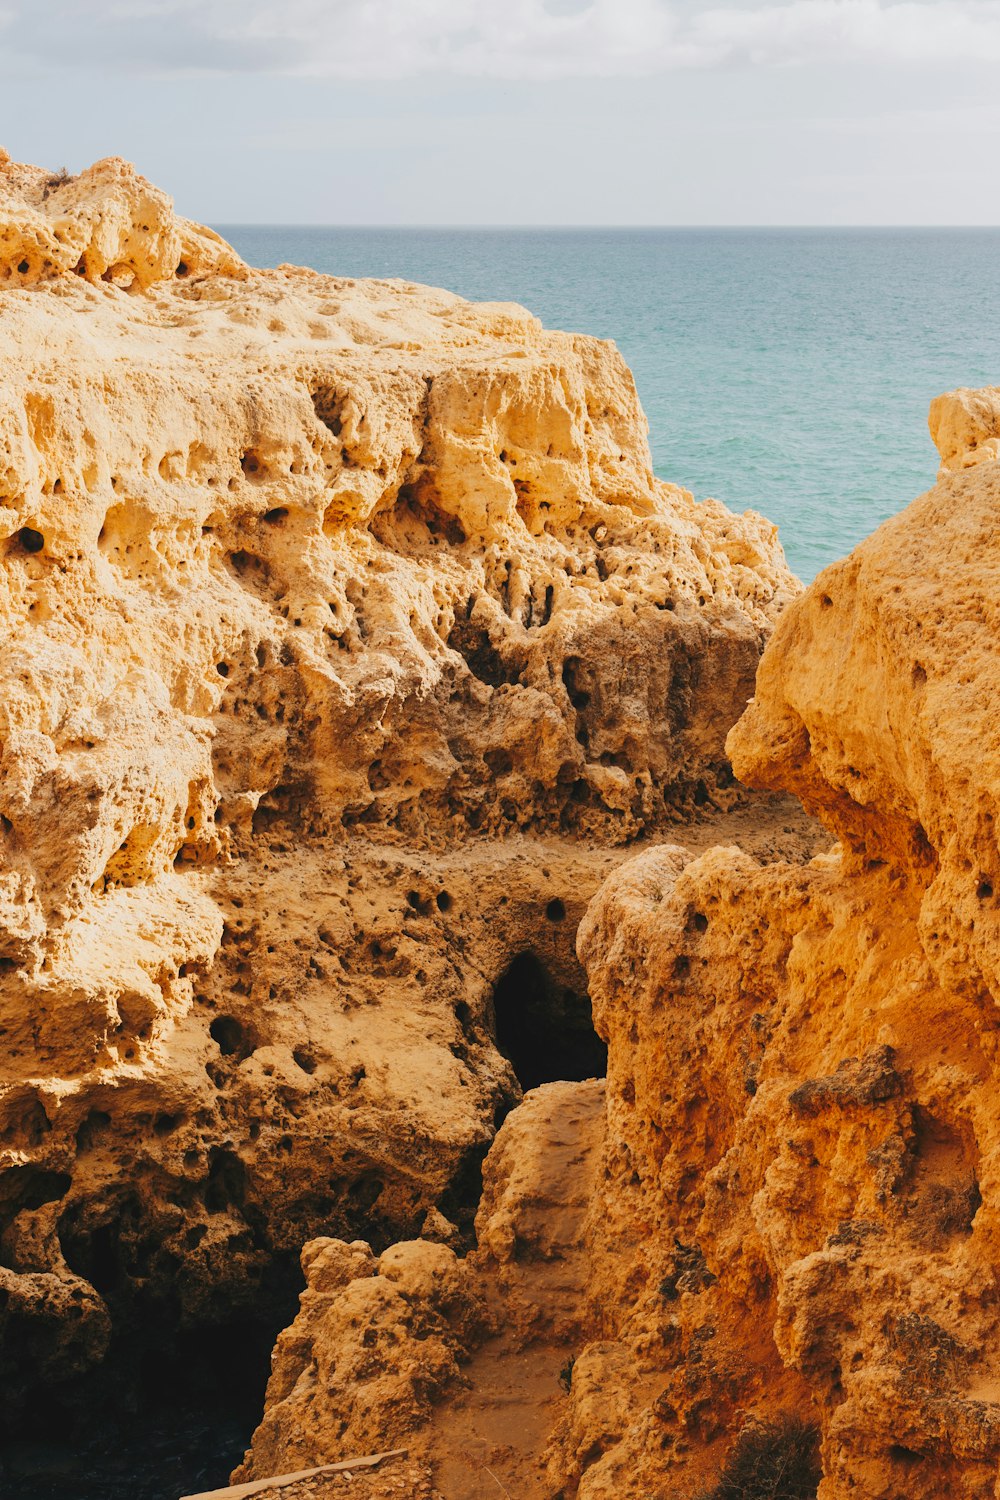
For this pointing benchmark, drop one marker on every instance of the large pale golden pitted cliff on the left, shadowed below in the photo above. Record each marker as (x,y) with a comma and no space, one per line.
(311,592)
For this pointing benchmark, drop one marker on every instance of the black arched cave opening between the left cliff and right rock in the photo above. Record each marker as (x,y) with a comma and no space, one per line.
(543,1028)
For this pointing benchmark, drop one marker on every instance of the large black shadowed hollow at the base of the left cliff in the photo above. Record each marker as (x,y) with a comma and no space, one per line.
(170,1399)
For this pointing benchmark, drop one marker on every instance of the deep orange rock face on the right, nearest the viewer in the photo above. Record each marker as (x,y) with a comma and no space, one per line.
(797,1208)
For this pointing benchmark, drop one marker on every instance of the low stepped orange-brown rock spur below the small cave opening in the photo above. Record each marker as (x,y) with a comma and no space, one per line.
(464,1361)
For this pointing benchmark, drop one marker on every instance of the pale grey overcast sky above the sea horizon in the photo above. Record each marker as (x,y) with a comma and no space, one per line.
(521,112)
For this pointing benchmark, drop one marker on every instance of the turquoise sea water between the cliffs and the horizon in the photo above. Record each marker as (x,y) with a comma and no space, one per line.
(783,370)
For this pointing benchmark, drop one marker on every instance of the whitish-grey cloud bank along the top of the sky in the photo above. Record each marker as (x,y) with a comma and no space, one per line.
(509,40)
